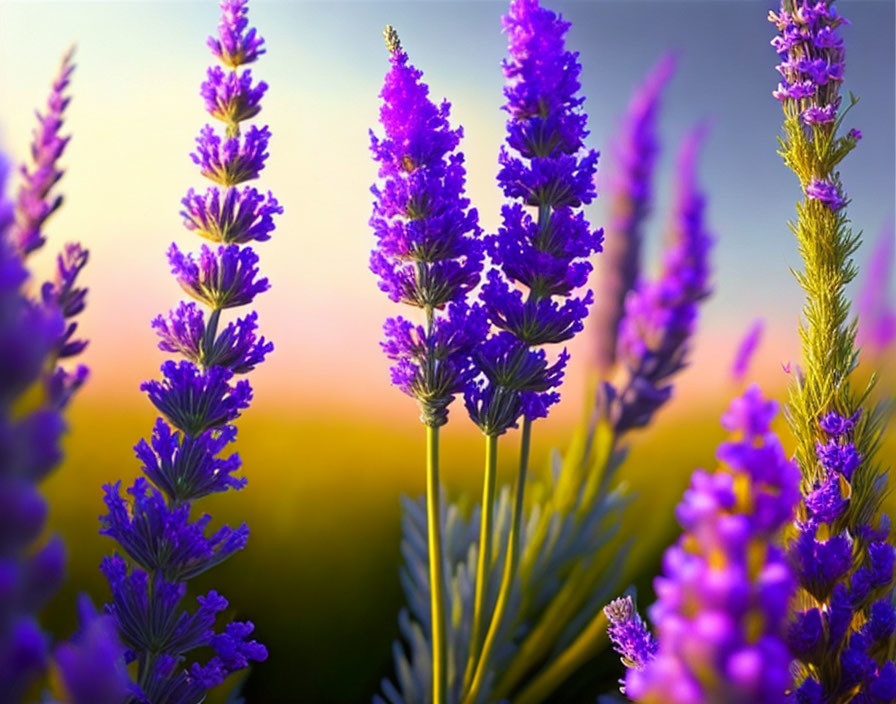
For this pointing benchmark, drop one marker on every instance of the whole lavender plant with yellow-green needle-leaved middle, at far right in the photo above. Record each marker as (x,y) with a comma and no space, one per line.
(845,625)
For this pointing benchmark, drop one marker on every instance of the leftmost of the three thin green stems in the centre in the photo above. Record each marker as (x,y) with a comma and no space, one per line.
(436,576)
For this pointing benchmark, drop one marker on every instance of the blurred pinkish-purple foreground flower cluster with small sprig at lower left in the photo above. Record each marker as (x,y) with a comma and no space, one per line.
(721,610)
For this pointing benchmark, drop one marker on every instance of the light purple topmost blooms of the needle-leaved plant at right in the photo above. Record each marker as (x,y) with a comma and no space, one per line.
(812,60)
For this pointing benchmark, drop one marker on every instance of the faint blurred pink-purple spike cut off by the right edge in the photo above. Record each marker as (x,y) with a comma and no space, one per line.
(877,312)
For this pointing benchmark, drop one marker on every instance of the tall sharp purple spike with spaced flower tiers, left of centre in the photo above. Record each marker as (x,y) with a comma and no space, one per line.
(180,656)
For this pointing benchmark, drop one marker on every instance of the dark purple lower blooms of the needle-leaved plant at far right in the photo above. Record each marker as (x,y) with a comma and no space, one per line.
(848,579)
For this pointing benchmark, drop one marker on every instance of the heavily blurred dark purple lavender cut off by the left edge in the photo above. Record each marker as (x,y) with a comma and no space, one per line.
(30,572)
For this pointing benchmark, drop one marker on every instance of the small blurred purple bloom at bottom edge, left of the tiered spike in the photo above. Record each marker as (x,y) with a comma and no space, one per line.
(91,665)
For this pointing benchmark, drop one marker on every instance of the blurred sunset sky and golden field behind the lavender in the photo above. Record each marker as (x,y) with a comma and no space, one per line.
(328,446)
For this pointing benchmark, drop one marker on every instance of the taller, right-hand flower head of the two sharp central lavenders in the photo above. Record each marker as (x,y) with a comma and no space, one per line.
(545,167)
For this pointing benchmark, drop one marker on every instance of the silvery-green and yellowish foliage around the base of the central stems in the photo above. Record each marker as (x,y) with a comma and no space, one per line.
(570,549)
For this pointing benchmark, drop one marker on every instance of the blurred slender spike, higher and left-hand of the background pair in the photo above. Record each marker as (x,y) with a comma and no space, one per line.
(634,150)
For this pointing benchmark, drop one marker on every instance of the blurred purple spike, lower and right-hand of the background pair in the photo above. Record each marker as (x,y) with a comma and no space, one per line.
(660,316)
